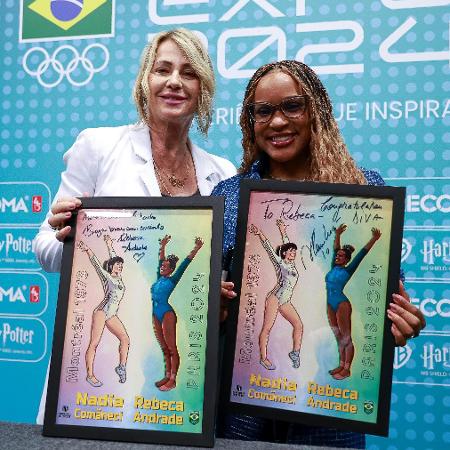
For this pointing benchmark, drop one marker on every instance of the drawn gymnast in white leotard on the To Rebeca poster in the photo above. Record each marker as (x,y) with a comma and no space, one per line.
(278,300)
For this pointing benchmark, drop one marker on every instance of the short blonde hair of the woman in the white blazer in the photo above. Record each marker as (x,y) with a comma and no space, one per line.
(199,59)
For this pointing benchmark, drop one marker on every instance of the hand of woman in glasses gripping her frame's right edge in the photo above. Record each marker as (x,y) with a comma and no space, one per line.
(407,319)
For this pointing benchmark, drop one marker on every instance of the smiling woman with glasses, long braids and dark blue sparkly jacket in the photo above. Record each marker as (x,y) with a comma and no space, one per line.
(290,133)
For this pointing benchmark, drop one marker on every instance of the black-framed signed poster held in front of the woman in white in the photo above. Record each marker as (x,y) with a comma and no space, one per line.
(135,344)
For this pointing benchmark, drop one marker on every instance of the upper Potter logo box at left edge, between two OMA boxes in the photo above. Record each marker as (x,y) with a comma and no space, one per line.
(17,249)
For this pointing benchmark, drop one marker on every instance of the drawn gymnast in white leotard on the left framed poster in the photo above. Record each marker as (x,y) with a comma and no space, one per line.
(105,314)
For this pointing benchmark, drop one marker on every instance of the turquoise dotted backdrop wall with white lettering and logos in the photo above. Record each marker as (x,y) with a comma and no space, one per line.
(386,66)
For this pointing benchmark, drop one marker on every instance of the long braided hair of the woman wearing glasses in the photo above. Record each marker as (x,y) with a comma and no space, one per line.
(329,159)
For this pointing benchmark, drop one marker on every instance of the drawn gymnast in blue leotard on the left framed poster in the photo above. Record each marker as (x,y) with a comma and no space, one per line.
(164,316)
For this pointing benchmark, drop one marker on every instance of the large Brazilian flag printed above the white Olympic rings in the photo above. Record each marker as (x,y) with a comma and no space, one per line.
(43,20)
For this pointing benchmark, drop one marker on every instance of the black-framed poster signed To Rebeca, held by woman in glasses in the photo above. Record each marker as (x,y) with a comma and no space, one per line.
(315,265)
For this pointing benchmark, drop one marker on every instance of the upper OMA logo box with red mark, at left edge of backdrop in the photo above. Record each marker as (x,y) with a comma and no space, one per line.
(23,203)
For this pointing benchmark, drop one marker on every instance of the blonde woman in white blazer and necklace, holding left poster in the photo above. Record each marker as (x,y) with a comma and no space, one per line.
(175,86)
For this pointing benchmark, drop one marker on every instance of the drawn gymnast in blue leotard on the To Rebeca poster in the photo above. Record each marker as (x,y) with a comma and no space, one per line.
(339,308)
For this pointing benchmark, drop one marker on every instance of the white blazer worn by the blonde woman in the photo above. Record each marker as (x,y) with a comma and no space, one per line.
(117,161)
